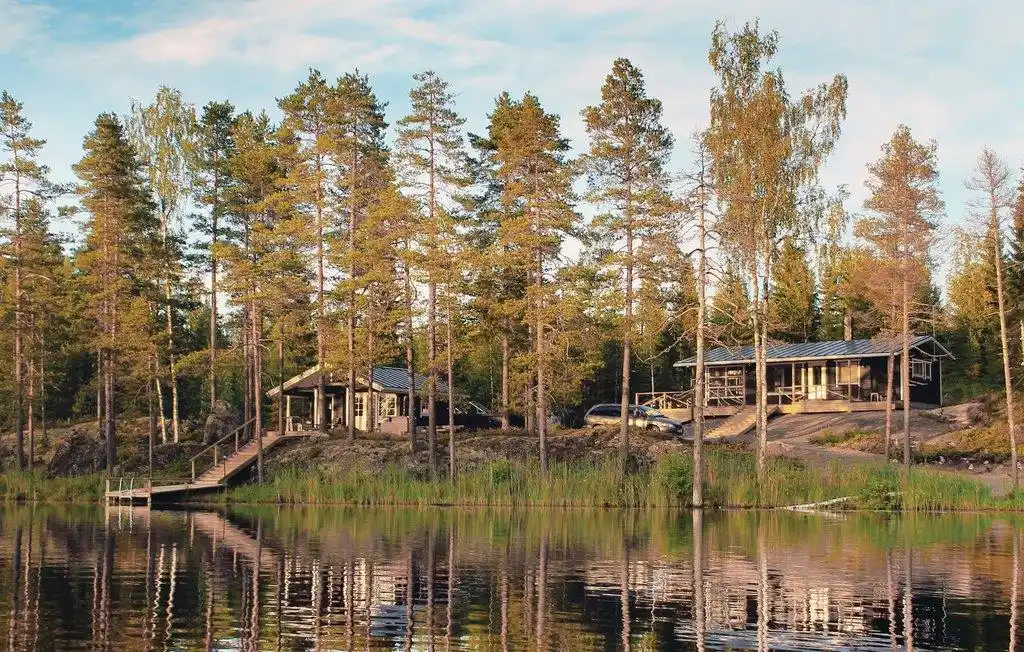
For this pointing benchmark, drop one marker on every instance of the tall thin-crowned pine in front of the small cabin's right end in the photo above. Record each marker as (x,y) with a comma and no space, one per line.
(432,164)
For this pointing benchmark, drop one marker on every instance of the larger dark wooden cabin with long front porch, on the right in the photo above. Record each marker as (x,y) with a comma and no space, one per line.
(851,373)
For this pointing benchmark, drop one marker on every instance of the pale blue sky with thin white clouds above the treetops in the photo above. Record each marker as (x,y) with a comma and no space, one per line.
(950,70)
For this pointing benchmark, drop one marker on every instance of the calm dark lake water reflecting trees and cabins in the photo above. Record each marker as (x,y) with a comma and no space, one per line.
(418,580)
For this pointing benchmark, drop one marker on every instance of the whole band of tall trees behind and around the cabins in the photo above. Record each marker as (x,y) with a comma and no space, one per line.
(214,251)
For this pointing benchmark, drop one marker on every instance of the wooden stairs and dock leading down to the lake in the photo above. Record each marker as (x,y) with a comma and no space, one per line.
(216,479)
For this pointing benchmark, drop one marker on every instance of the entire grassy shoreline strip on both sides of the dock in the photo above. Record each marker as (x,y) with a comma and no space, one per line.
(663,484)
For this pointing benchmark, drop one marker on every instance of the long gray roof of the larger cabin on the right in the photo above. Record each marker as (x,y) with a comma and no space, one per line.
(838,350)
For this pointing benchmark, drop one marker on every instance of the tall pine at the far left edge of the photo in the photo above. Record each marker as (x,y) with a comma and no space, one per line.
(23,179)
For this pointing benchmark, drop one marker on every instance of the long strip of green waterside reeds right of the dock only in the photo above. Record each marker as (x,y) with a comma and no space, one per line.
(732,483)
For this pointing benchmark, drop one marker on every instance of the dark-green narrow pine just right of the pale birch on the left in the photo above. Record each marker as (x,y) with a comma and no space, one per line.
(217,146)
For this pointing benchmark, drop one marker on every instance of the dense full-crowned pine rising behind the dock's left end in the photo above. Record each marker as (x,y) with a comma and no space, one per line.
(121,237)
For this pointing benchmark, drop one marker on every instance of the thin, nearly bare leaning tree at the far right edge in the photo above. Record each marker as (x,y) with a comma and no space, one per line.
(994,186)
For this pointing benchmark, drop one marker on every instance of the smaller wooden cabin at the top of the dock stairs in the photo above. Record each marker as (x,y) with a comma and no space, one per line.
(391,399)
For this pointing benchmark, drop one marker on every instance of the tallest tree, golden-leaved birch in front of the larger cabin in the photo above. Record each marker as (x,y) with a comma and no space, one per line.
(766,149)
